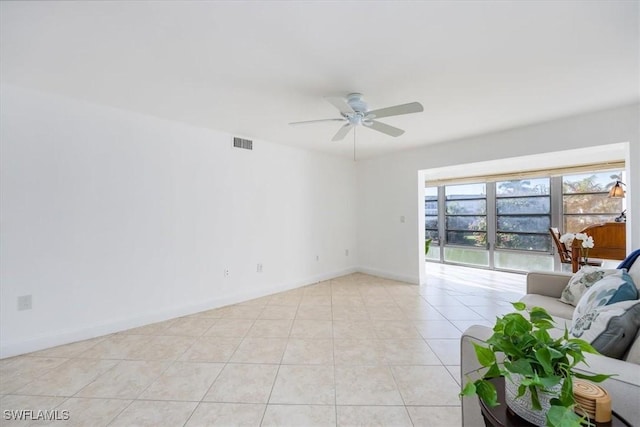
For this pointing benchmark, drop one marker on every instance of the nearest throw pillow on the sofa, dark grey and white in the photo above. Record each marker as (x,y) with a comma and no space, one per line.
(611,329)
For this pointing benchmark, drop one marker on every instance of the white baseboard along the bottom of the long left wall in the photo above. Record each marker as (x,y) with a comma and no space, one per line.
(14,348)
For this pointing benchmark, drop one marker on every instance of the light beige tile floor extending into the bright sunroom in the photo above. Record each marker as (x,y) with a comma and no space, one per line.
(356,350)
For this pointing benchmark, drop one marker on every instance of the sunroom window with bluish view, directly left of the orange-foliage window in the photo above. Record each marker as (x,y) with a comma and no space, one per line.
(523,214)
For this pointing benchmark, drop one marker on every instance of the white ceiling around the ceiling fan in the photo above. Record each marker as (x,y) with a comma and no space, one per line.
(249,68)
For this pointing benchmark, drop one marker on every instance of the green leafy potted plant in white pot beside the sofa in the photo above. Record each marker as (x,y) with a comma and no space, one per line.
(538,369)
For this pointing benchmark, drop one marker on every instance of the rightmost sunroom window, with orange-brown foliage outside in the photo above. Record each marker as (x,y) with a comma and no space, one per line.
(585,200)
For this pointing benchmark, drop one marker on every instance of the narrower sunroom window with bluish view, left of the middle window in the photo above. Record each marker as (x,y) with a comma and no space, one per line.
(466,214)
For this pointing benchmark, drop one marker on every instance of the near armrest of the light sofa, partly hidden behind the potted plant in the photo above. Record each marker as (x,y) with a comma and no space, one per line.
(624,388)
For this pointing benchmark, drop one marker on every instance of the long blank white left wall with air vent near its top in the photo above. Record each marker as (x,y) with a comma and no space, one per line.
(112,219)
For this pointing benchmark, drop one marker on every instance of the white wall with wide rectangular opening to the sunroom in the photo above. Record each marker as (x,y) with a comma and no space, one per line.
(390,187)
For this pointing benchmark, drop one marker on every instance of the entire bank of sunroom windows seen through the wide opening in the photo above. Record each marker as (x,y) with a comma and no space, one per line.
(504,222)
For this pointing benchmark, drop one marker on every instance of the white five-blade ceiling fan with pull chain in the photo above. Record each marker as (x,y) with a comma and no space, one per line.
(354,112)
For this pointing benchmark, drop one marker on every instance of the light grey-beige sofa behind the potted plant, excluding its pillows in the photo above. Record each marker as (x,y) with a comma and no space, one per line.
(543,290)
